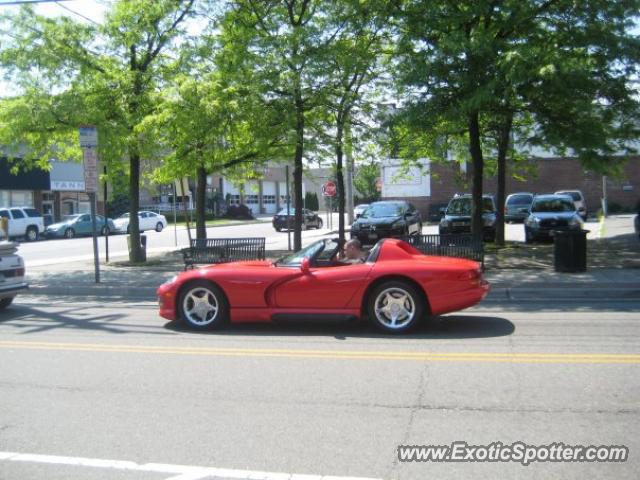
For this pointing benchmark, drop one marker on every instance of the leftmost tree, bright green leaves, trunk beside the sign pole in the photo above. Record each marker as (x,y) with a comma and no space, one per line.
(107,75)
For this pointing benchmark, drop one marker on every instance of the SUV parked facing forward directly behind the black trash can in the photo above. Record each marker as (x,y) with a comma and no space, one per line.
(550,213)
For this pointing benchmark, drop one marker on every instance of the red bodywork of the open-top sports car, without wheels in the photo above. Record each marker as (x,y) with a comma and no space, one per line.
(263,291)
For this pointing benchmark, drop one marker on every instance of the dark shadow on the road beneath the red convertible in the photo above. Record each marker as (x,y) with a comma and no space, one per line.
(444,327)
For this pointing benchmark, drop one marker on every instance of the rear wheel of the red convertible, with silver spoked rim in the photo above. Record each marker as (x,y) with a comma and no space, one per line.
(402,294)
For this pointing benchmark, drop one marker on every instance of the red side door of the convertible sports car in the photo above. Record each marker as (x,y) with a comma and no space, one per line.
(322,288)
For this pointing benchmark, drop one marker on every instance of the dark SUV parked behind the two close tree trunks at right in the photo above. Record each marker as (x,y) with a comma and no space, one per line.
(457,216)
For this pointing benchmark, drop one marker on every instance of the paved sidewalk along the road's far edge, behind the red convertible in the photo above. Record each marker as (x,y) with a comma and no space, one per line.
(77,279)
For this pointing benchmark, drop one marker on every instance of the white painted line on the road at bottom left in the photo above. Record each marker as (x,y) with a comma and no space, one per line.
(178,472)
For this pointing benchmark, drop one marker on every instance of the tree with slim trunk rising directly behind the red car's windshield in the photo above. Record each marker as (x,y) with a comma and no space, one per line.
(286,43)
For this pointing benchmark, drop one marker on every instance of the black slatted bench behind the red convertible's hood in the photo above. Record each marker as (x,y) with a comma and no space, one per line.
(222,250)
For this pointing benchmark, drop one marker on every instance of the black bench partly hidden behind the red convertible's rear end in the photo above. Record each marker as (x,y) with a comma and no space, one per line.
(449,245)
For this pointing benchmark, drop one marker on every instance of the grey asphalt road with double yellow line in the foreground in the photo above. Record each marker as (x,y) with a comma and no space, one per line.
(110,390)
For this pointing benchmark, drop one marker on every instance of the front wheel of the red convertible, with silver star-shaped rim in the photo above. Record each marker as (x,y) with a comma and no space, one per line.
(214,301)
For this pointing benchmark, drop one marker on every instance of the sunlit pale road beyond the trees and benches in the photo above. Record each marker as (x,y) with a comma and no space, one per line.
(46,252)
